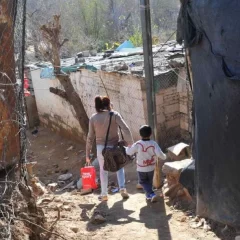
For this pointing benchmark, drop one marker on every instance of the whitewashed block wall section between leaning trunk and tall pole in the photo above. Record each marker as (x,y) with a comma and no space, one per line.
(124,91)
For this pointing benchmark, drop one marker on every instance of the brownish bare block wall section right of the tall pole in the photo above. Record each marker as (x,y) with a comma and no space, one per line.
(173,109)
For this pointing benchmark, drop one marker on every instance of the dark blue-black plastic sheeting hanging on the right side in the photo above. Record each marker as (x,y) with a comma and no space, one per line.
(216,69)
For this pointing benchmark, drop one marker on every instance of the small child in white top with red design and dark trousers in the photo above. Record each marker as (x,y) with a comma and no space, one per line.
(147,150)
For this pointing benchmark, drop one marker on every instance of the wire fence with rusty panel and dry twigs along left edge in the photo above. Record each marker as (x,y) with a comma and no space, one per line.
(12,116)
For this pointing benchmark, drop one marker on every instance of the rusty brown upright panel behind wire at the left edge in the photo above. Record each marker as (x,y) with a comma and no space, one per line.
(9,138)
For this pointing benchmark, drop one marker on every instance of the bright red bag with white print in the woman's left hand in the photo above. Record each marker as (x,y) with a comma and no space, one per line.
(88,174)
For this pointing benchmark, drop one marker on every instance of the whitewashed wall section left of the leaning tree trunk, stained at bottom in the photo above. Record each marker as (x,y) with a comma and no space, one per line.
(54,112)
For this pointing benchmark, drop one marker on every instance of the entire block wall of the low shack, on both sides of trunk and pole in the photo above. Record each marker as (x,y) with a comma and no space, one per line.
(128,95)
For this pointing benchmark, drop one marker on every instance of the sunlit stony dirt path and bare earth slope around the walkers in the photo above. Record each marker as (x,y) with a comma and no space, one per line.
(130,219)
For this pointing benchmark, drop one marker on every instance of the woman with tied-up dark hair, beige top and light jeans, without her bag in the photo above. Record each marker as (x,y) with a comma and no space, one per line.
(98,126)
